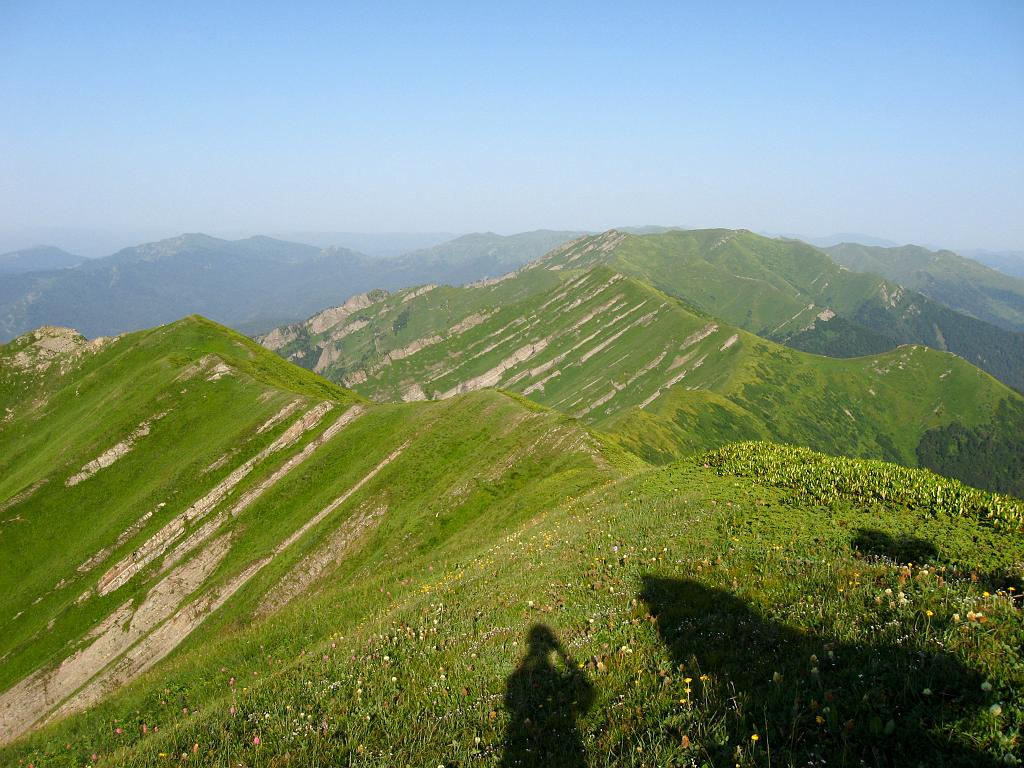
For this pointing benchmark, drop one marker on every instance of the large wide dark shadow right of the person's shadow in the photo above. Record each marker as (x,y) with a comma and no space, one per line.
(812,701)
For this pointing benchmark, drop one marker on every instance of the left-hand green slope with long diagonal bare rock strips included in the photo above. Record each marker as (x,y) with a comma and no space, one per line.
(207,475)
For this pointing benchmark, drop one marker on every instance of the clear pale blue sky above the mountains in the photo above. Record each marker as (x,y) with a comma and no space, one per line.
(905,121)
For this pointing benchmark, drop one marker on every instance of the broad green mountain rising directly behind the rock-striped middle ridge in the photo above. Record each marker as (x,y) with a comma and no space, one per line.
(794,293)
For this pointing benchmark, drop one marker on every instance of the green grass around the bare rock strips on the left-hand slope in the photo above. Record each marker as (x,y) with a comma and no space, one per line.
(472,468)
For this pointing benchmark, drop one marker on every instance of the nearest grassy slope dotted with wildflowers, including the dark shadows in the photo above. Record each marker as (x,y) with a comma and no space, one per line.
(682,614)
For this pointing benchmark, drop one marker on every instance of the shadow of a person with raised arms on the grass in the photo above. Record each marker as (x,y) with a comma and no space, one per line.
(545,699)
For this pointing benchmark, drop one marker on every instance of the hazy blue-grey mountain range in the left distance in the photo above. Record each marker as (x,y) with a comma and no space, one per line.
(253,284)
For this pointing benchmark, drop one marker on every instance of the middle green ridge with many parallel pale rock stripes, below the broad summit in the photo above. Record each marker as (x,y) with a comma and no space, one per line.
(666,380)
